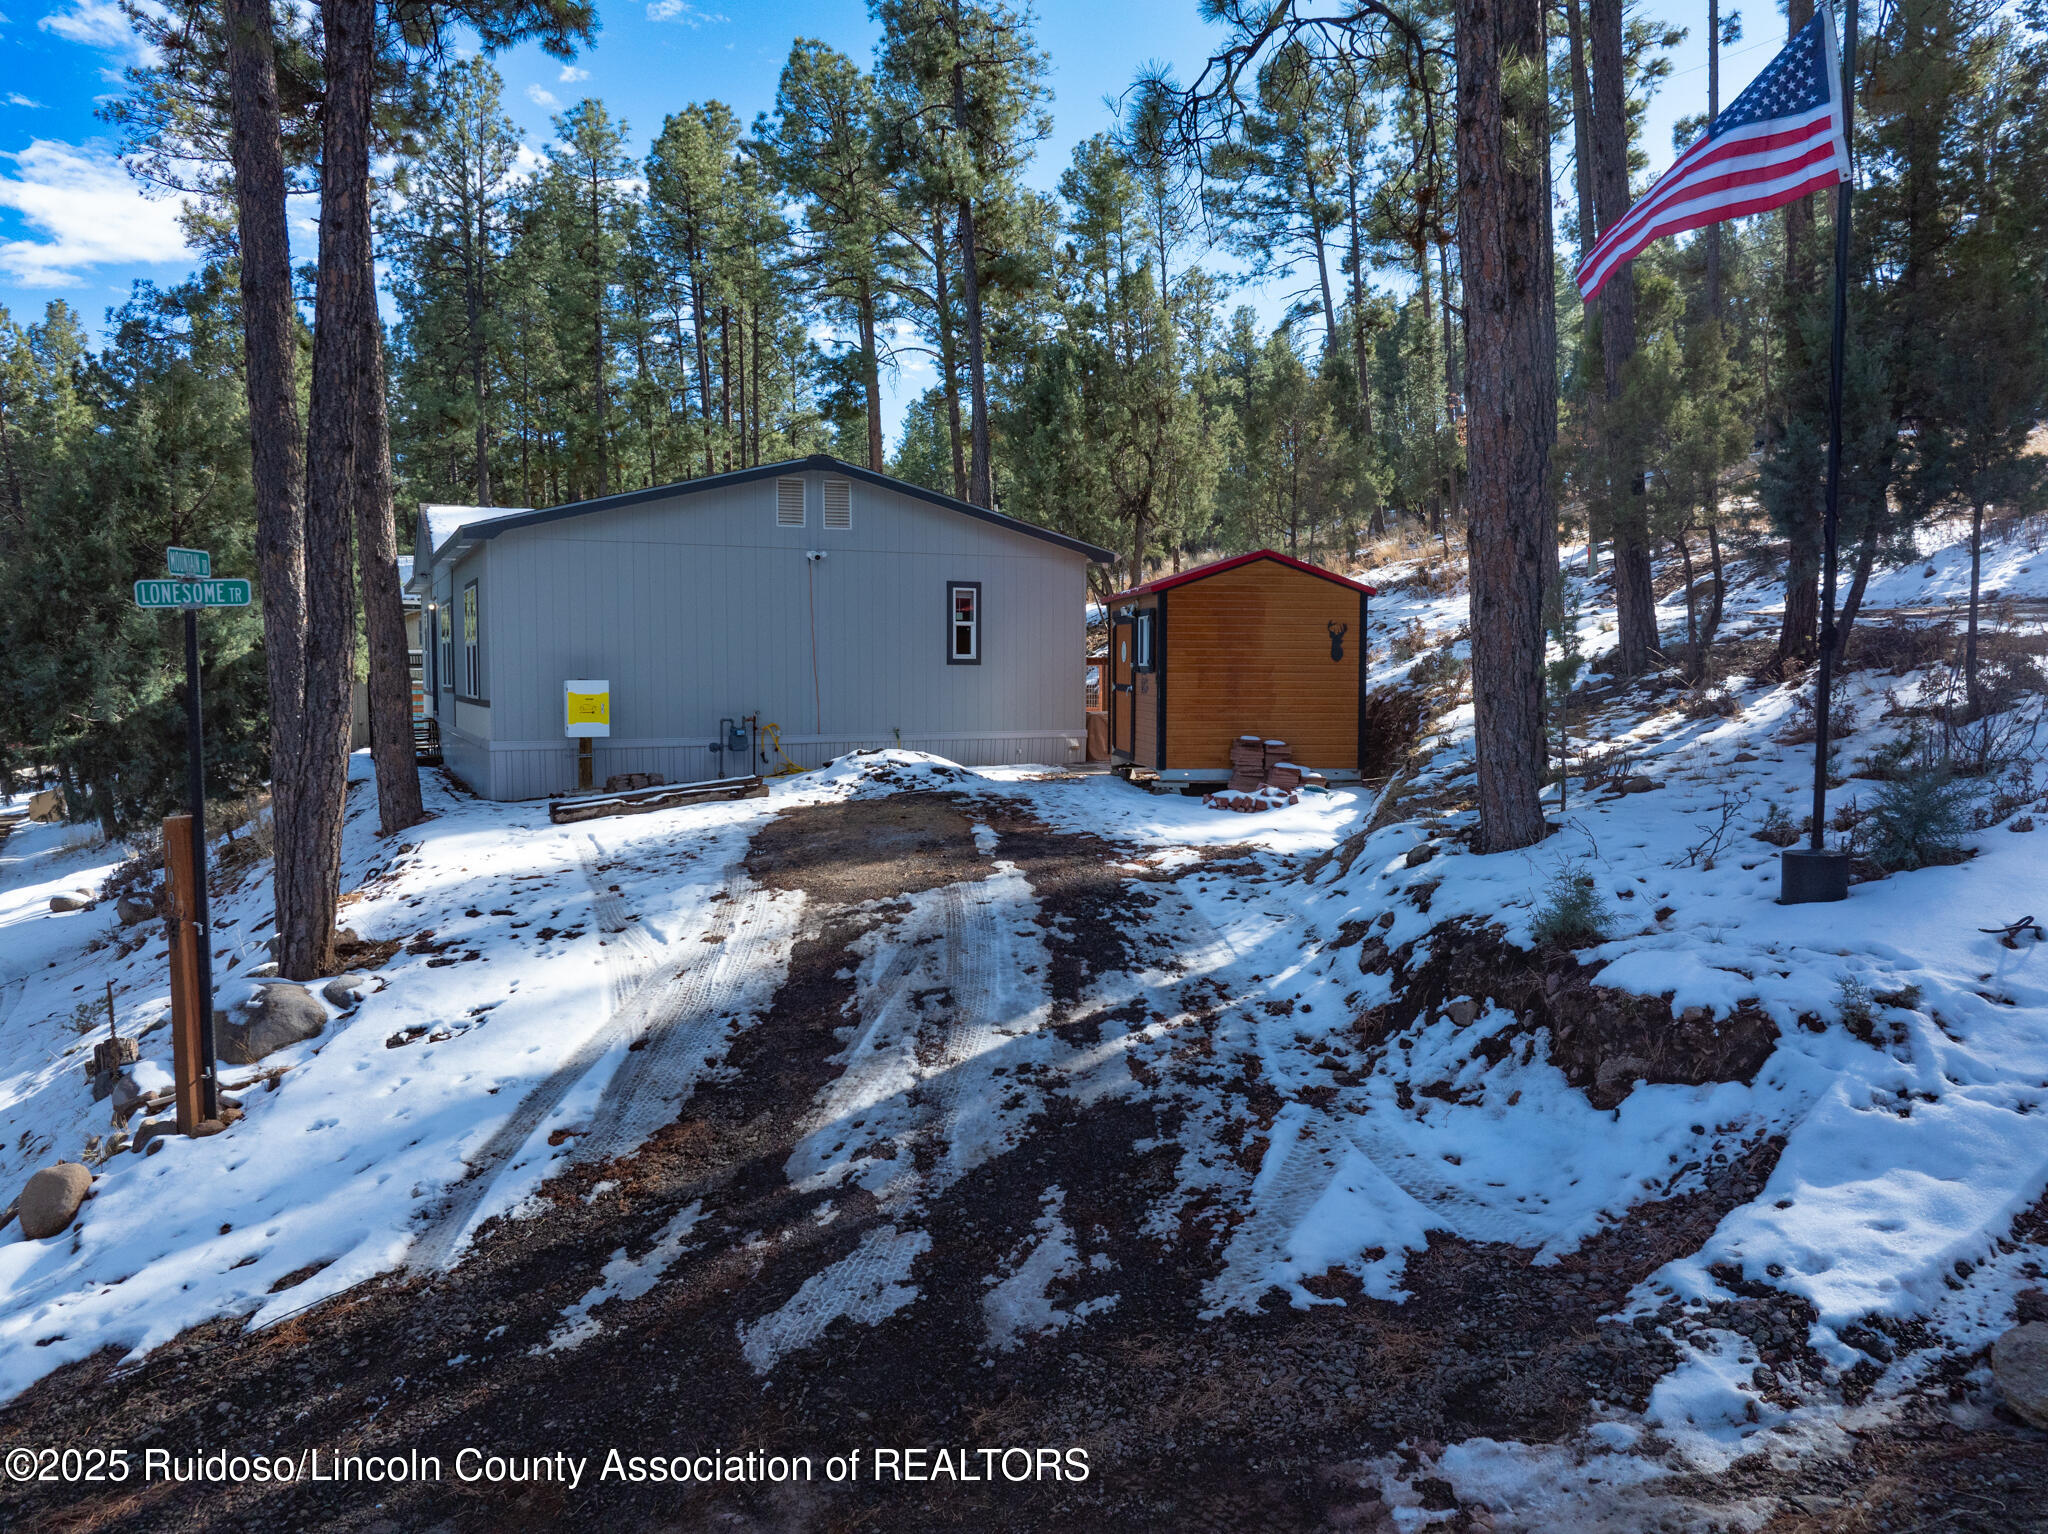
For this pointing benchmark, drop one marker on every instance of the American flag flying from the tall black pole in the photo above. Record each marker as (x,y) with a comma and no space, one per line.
(1777,142)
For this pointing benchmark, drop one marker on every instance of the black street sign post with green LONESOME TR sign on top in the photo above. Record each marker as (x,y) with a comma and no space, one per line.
(191,591)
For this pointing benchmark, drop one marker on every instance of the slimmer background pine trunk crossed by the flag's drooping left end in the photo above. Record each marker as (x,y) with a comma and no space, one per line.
(1635,603)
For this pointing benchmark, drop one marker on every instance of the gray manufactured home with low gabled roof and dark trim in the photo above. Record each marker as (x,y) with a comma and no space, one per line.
(837,605)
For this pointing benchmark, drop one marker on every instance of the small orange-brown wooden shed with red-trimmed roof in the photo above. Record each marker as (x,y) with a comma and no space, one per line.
(1252,646)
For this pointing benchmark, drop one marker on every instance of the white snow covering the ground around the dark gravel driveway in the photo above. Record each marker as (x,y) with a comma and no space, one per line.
(1908,1084)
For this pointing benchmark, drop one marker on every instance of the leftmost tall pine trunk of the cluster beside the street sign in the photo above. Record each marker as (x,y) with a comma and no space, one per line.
(304,796)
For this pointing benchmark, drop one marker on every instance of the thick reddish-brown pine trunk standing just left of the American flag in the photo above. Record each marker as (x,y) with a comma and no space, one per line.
(1510,335)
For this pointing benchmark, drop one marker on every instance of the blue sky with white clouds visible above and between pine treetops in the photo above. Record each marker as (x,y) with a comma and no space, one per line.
(75,226)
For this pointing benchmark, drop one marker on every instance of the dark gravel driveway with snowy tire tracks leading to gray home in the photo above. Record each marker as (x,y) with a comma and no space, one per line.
(957,1205)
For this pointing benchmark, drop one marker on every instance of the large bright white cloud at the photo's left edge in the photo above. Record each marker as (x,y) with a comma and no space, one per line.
(87,212)
